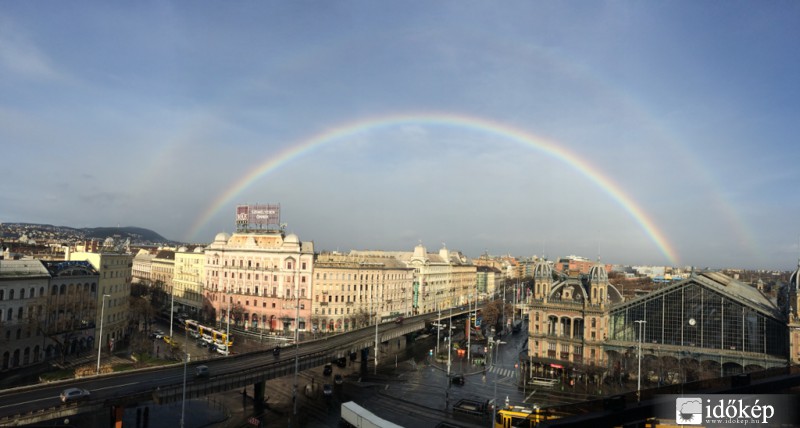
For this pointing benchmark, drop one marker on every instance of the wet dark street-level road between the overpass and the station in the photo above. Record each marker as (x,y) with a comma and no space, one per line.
(414,393)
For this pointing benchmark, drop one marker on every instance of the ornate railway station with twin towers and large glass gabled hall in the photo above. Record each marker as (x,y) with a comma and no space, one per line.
(707,325)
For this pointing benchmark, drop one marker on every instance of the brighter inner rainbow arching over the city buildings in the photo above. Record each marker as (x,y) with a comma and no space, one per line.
(343,131)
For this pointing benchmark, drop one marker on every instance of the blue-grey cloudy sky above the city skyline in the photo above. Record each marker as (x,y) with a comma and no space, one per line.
(642,132)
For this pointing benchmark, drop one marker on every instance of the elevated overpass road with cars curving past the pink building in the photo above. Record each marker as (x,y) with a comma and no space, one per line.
(39,403)
